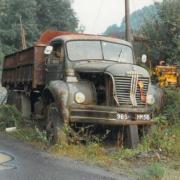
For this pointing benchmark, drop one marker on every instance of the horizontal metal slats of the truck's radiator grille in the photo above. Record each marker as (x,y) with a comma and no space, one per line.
(123,87)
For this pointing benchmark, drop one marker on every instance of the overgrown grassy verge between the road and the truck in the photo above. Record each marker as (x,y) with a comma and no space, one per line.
(157,156)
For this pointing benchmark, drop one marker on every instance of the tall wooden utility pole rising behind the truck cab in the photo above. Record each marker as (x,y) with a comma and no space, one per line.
(127,21)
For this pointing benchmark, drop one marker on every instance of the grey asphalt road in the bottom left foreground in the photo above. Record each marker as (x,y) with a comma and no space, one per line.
(19,161)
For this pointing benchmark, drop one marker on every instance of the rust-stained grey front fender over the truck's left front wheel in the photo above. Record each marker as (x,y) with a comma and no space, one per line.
(59,91)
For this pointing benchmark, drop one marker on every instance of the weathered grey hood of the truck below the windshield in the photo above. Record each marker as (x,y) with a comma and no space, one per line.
(116,69)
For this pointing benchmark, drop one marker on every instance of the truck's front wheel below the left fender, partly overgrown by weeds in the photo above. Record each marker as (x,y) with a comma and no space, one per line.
(54,125)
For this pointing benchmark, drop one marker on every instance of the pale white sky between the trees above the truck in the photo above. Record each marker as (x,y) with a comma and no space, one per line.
(97,15)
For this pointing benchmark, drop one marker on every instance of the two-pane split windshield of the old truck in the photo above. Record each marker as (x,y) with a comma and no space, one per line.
(99,50)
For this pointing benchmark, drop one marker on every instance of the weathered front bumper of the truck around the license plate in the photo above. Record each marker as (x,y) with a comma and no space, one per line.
(106,115)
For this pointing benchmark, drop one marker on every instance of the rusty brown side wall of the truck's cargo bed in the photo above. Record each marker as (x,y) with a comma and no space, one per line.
(26,67)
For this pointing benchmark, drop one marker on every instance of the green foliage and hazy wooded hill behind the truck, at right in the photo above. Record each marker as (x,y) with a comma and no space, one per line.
(159,27)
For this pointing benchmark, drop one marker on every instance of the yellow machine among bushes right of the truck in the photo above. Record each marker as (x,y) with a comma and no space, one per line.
(167,75)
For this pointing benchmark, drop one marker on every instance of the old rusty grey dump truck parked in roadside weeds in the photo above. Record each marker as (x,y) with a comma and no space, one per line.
(78,78)
